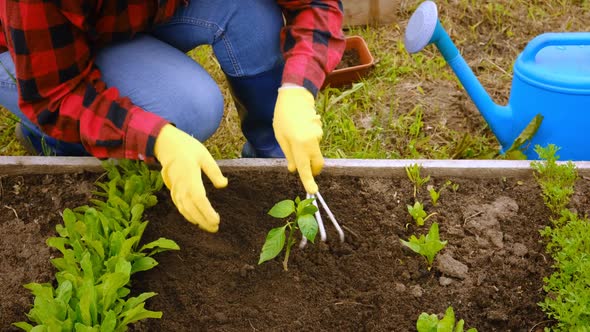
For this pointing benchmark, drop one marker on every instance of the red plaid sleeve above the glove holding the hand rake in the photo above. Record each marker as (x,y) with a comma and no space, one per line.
(312,40)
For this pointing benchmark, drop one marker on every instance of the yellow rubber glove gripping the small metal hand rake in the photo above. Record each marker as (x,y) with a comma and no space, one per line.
(298,129)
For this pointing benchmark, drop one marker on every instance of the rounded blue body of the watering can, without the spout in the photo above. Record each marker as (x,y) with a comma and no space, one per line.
(552,78)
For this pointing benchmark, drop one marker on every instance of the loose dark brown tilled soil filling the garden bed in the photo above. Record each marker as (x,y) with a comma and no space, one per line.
(491,270)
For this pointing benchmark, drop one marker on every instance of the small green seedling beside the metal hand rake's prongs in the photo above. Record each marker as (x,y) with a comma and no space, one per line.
(304,221)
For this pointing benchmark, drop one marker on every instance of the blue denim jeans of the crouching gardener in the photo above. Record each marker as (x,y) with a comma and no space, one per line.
(156,74)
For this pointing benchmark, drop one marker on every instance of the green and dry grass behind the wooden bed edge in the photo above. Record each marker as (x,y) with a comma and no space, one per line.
(412,106)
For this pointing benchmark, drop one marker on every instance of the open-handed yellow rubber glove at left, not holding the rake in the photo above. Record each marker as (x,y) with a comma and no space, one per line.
(182,158)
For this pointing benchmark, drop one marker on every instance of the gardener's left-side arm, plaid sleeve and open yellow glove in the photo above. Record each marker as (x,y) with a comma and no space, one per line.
(62,92)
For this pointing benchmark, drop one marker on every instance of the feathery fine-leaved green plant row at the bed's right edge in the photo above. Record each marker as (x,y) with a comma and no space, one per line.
(568,295)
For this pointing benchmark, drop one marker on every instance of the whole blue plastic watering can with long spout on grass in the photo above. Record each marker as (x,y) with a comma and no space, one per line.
(551,78)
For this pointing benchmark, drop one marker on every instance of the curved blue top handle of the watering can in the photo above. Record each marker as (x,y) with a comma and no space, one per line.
(554,39)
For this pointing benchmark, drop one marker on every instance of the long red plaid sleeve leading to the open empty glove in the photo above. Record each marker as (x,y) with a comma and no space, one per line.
(61,90)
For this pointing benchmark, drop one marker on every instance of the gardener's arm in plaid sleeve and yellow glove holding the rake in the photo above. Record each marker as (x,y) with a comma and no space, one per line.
(312,43)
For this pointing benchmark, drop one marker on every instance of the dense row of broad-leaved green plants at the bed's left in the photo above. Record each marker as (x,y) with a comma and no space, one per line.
(100,247)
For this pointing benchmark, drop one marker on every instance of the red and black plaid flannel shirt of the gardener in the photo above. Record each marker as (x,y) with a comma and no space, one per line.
(53,44)
